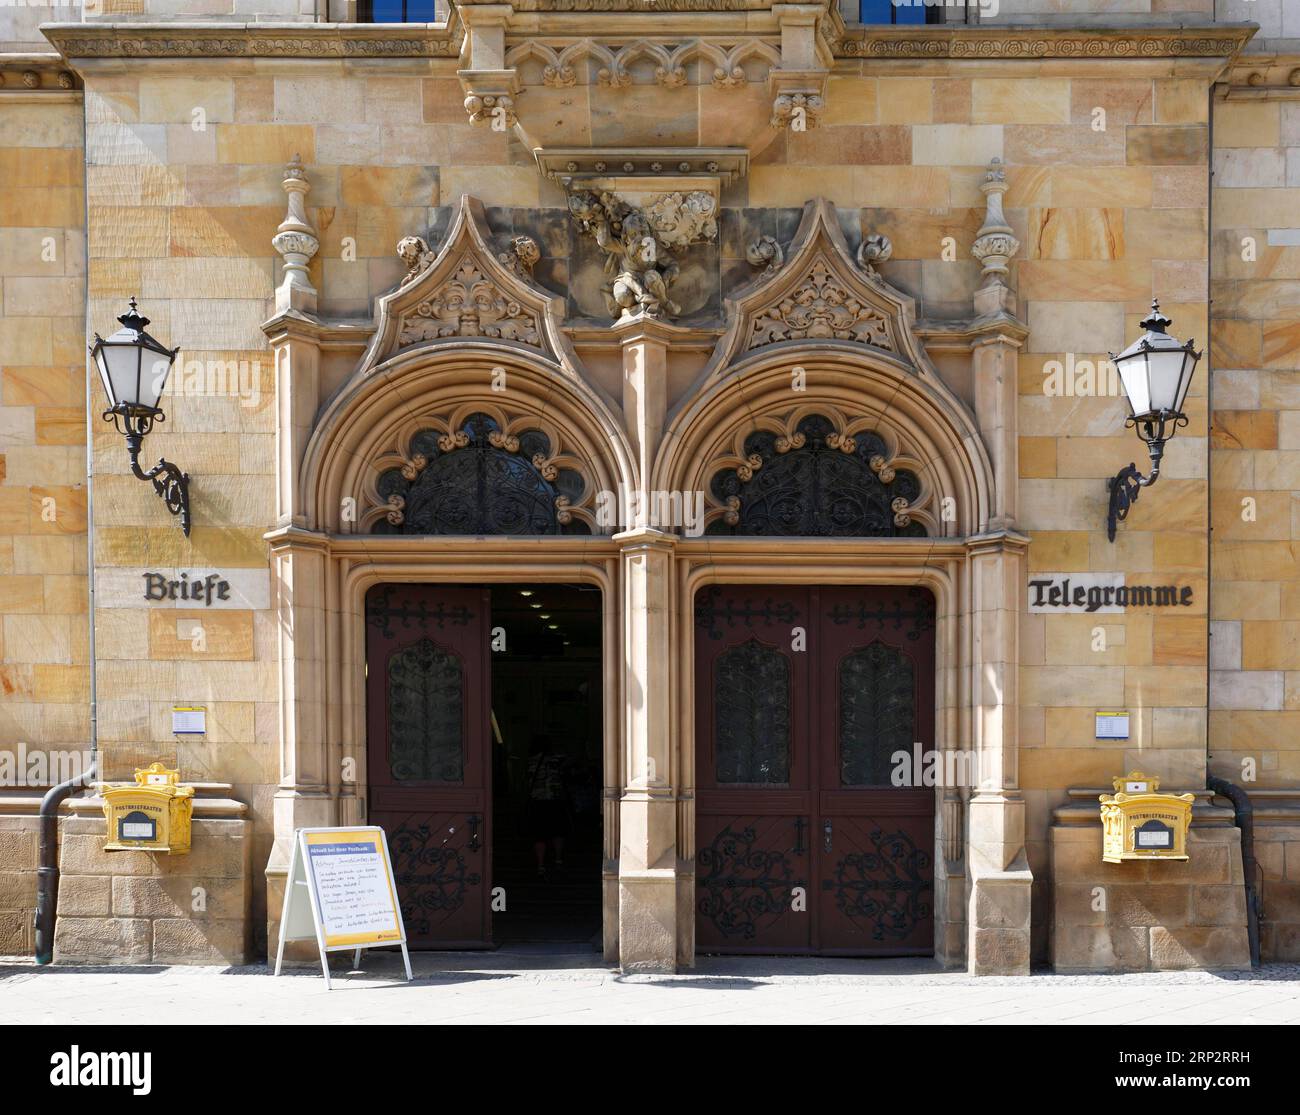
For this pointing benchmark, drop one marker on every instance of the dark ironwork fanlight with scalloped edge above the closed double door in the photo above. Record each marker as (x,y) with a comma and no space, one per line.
(817,483)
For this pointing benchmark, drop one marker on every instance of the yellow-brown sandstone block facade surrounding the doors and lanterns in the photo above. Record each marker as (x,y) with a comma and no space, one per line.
(158,171)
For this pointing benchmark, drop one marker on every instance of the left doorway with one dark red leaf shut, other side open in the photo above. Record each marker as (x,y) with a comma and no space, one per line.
(484,737)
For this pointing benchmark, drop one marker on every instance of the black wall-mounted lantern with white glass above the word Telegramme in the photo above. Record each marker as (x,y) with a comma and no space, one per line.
(1156,371)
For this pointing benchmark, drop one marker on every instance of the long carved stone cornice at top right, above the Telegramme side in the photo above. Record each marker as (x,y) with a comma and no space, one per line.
(1139,44)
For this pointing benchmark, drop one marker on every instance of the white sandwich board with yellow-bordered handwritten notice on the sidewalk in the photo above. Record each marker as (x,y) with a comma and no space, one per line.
(341,892)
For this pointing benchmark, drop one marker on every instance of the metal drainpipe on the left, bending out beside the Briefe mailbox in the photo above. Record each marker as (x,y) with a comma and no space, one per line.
(47,874)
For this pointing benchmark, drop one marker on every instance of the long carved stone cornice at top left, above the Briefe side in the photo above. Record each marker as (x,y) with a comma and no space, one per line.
(255,41)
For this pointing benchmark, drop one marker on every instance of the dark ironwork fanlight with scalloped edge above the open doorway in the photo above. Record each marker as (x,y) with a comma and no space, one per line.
(480,480)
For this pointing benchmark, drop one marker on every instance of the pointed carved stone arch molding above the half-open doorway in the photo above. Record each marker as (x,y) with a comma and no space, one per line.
(463,335)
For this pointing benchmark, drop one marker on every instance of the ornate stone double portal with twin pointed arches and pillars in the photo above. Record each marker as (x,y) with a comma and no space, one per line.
(470,355)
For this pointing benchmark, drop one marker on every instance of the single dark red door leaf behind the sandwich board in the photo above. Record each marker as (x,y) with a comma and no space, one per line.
(428,693)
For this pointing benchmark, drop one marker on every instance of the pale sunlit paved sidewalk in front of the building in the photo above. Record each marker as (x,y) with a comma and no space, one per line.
(522,987)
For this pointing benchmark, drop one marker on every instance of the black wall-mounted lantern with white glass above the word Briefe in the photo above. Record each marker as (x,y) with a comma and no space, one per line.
(135,368)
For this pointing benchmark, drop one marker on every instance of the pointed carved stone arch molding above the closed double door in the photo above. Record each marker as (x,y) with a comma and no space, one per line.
(863,368)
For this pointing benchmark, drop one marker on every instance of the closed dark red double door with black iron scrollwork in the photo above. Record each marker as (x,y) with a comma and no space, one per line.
(804,697)
